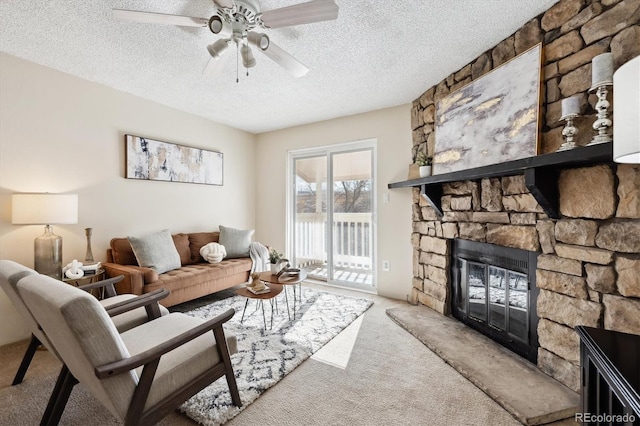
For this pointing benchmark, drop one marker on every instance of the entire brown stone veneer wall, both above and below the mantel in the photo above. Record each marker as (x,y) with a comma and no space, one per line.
(589,264)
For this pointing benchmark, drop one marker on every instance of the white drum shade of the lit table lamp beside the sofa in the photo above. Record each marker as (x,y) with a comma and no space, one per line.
(44,209)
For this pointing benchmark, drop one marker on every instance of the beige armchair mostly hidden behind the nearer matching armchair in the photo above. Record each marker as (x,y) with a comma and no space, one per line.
(129,310)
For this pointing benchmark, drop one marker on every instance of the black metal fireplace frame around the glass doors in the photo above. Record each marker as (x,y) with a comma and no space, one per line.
(518,260)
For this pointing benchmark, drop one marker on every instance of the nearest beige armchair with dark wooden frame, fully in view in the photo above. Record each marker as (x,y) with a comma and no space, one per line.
(140,375)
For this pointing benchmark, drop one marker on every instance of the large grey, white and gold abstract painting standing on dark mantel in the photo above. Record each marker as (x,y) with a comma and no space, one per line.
(492,119)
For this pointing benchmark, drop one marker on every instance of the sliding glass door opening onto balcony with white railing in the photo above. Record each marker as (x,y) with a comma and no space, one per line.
(332,220)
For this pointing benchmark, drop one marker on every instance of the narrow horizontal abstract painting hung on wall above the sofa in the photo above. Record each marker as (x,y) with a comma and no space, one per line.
(149,159)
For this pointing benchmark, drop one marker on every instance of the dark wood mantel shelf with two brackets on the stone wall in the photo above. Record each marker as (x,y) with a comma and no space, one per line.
(540,173)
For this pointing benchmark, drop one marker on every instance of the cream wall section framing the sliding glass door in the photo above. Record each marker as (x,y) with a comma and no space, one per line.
(392,129)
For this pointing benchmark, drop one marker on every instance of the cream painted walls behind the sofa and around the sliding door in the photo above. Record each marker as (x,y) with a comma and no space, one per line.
(61,134)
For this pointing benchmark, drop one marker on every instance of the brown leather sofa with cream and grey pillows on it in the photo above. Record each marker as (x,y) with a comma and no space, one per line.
(195,278)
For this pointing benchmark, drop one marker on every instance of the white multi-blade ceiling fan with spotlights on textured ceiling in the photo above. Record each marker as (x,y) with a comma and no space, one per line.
(235,22)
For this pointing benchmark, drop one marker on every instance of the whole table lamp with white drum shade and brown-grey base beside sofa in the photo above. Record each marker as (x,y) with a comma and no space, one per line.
(46,209)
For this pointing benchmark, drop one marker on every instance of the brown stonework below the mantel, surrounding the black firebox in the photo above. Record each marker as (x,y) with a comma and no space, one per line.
(588,261)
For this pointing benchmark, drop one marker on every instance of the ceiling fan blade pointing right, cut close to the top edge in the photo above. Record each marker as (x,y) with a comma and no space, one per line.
(304,13)
